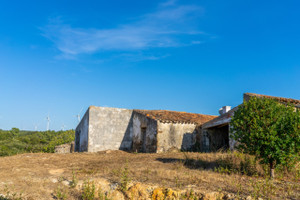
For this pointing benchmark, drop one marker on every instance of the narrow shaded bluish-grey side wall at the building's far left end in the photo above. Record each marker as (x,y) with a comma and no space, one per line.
(81,133)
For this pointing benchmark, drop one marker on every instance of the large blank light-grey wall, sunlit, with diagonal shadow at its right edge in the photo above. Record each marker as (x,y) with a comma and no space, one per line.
(109,128)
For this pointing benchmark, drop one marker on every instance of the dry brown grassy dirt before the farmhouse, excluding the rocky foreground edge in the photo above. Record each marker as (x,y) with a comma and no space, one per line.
(36,176)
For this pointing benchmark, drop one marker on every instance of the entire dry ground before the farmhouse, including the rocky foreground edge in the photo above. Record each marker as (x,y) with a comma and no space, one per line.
(121,175)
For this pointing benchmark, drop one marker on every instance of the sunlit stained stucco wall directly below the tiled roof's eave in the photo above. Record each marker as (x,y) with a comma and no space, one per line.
(175,135)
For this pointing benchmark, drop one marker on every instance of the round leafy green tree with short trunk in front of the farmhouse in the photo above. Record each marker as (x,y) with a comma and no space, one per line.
(268,130)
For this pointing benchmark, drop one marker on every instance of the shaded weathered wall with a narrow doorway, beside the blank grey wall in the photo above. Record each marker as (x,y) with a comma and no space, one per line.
(144,134)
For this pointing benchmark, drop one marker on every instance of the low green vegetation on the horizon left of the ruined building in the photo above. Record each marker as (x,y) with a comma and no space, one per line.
(15,141)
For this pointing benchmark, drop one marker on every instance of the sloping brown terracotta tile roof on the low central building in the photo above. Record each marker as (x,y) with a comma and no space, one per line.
(167,116)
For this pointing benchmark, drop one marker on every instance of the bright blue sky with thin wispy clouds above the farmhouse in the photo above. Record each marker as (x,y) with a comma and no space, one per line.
(57,57)
